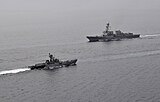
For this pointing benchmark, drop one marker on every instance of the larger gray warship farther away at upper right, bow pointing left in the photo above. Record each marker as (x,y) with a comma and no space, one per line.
(109,35)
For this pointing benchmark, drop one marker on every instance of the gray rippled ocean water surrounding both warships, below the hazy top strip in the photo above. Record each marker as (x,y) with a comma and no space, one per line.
(117,71)
